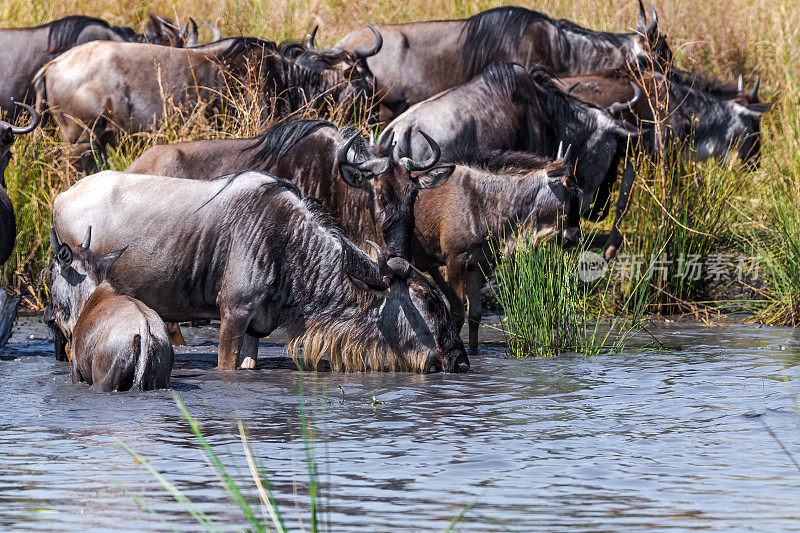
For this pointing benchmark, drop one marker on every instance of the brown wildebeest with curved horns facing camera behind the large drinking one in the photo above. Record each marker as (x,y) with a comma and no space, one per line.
(370,196)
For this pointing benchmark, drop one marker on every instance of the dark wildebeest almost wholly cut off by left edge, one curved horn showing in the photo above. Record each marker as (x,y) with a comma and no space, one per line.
(8,223)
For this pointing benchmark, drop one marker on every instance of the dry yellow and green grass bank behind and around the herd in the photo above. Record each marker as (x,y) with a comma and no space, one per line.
(687,210)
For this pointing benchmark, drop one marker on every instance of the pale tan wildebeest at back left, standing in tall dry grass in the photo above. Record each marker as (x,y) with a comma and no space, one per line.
(100,88)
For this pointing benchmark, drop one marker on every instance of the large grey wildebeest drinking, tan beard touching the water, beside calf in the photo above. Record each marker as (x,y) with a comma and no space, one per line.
(248,249)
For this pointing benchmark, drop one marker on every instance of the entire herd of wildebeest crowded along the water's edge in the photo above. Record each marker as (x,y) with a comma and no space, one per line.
(504,120)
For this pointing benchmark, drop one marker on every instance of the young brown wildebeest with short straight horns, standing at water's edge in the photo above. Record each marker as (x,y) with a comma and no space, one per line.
(460,225)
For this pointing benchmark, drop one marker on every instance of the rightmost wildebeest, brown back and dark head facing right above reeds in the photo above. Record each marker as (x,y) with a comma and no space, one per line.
(703,124)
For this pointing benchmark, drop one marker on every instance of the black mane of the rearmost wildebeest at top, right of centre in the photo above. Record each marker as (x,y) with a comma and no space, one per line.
(487,33)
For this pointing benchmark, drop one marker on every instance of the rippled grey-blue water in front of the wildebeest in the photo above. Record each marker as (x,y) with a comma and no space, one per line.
(671,440)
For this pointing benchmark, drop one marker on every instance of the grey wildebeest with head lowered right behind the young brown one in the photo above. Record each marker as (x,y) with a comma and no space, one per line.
(507,108)
